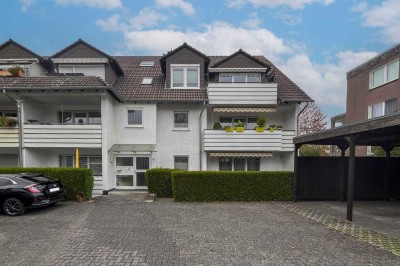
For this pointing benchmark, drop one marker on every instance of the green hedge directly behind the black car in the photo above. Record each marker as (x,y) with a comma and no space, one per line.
(75,180)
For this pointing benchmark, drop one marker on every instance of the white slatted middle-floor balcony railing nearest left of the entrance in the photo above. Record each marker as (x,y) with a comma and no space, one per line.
(62,136)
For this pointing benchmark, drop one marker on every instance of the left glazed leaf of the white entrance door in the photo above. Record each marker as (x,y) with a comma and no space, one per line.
(124,172)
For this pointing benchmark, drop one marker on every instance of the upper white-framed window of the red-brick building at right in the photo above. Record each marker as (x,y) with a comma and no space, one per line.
(384,74)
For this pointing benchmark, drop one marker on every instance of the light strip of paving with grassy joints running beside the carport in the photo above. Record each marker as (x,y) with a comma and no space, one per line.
(380,240)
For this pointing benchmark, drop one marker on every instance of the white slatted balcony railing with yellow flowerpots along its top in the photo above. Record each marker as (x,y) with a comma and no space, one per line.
(249,140)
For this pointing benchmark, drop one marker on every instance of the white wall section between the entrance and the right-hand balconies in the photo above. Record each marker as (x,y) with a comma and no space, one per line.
(172,142)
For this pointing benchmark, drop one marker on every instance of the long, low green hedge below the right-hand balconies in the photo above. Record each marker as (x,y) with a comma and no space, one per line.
(231,186)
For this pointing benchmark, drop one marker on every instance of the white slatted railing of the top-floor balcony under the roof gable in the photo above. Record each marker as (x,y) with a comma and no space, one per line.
(254,94)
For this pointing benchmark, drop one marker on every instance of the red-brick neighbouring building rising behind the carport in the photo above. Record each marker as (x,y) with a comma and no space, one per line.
(373,89)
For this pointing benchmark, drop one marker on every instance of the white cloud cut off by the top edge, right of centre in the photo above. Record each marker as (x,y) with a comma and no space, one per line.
(294,4)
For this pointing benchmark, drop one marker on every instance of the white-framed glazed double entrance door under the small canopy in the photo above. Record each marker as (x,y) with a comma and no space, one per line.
(130,171)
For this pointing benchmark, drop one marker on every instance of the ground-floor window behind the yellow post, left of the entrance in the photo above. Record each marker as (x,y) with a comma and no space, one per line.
(91,162)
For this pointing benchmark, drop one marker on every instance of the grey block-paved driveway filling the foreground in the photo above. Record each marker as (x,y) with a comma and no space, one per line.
(124,230)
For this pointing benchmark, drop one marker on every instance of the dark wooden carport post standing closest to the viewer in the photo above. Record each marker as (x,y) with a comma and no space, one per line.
(350,183)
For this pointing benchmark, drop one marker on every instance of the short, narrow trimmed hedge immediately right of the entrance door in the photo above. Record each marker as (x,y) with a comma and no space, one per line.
(159,181)
